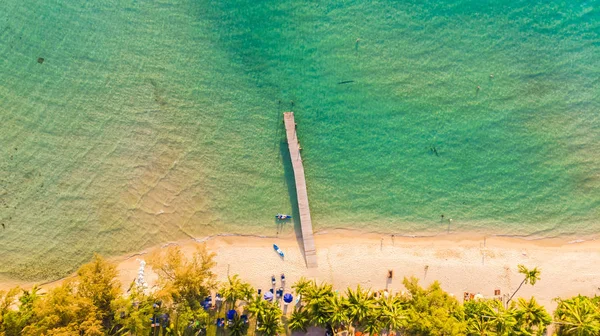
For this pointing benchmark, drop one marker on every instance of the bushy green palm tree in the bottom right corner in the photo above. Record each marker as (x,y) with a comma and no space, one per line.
(577,316)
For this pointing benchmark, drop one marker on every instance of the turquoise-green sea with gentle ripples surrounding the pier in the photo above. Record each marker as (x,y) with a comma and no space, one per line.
(149,121)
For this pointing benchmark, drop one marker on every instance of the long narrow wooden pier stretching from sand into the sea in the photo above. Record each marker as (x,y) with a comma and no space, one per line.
(310,253)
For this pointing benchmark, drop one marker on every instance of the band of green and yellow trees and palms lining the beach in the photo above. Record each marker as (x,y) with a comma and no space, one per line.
(91,303)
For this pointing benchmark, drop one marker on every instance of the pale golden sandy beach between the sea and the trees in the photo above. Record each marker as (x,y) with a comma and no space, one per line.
(460,263)
